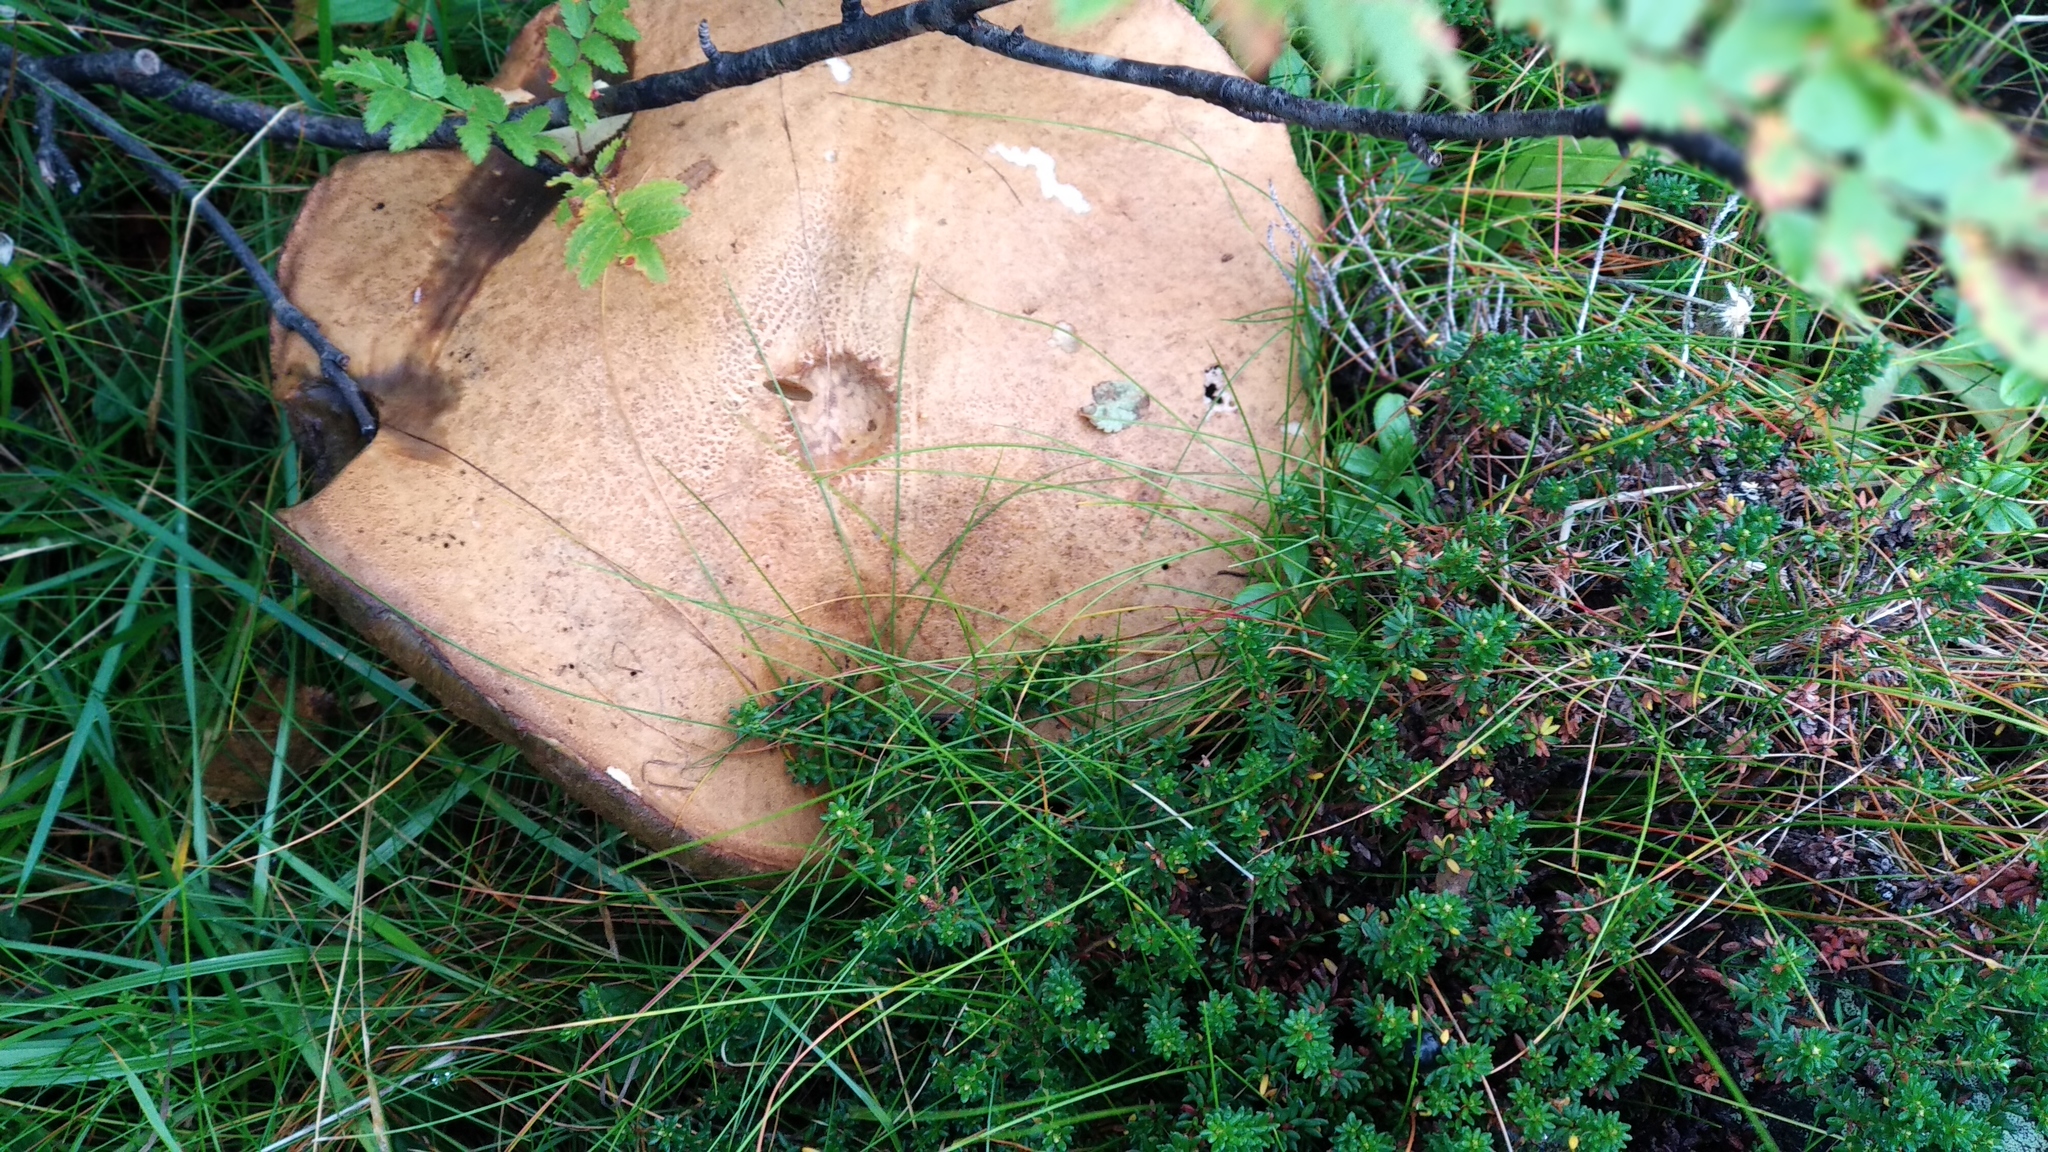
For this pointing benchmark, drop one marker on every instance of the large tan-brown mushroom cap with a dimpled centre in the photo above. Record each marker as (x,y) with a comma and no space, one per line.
(853,421)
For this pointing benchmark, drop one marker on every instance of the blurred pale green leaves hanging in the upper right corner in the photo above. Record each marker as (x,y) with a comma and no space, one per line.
(1846,155)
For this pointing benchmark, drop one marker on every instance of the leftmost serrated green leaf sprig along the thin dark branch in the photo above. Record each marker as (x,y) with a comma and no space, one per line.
(413,99)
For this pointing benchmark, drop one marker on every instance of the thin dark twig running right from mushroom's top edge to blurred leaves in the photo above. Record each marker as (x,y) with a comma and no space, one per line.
(1258,101)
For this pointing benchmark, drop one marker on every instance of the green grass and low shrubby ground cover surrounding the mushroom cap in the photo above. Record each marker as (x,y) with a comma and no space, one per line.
(1619,739)
